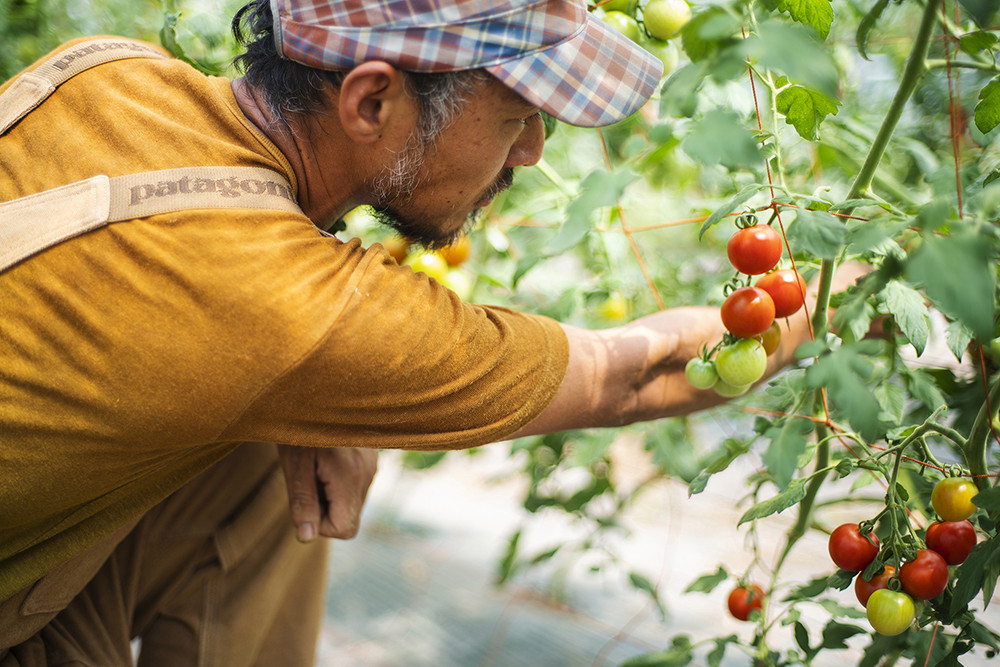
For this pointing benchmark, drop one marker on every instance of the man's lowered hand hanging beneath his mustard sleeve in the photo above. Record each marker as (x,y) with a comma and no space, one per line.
(327,487)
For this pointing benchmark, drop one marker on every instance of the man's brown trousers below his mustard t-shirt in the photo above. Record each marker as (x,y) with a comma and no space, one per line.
(213,576)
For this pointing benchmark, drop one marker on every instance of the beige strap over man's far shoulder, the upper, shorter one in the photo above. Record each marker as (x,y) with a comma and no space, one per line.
(31,88)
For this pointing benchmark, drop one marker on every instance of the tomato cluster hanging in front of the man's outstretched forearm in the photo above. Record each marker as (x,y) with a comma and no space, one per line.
(750,313)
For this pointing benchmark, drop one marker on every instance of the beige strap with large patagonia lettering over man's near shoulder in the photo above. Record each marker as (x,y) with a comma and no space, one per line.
(31,224)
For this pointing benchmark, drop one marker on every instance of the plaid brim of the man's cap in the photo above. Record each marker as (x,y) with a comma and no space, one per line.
(596,77)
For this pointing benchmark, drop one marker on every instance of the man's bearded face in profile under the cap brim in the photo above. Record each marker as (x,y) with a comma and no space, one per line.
(433,188)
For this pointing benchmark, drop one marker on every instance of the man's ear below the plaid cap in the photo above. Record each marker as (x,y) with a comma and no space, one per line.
(371,96)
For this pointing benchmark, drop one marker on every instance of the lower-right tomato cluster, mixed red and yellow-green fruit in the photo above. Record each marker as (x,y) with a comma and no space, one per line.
(888,596)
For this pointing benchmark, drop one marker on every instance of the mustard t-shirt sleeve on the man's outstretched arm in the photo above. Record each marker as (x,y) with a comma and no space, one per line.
(406,364)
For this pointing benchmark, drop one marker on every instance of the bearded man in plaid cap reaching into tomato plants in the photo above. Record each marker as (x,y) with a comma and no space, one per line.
(167,296)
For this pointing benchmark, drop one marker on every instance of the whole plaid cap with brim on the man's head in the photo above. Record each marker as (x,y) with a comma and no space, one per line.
(554,53)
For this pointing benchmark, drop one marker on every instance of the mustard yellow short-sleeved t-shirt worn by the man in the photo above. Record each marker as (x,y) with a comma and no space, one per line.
(133,357)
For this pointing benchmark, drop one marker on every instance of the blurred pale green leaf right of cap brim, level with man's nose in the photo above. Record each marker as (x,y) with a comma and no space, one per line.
(720,137)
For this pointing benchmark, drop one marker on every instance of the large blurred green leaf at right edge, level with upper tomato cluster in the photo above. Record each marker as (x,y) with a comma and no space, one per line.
(957,273)
